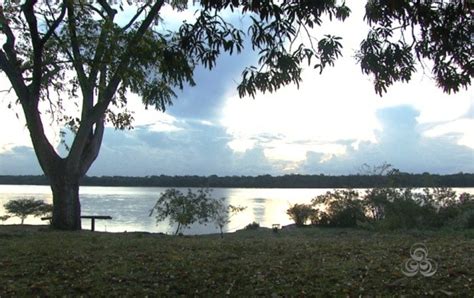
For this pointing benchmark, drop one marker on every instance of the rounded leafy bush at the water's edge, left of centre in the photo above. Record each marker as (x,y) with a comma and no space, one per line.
(184,209)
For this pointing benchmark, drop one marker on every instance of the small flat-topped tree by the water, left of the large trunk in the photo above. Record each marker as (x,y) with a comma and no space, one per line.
(24,207)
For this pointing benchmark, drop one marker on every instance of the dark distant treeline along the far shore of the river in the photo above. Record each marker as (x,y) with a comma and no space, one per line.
(266,181)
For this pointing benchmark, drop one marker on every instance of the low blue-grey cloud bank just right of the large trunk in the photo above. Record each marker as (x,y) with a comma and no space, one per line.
(195,149)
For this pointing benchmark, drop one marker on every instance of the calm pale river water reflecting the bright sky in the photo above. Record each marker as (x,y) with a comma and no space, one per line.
(130,206)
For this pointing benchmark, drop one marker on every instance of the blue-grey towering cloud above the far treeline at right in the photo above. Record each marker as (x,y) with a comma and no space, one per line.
(401,143)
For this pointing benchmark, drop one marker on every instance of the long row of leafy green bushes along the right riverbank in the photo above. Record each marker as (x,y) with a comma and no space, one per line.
(389,208)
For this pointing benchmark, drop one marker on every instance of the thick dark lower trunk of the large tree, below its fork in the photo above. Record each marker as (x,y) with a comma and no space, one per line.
(66,204)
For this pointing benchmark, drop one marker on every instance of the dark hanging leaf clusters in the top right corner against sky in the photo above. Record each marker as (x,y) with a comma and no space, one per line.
(405,31)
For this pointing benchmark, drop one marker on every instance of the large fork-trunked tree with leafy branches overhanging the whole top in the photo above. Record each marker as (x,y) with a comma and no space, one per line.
(60,53)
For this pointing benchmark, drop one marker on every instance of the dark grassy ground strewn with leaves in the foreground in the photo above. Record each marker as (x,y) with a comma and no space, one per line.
(300,262)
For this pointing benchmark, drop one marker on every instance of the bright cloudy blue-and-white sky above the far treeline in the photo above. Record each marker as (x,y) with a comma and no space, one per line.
(332,124)
